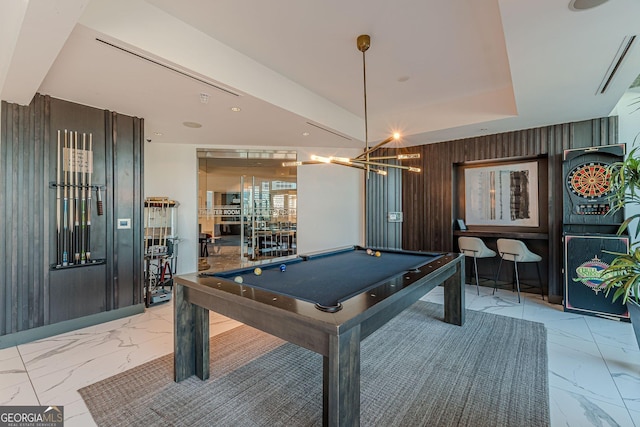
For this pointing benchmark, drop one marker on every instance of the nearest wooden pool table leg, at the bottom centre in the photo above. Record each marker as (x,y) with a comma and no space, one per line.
(341,380)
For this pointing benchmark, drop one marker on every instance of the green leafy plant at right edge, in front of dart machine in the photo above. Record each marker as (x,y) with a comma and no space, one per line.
(623,274)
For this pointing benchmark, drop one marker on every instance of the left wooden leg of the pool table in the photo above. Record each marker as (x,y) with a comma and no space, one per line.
(190,339)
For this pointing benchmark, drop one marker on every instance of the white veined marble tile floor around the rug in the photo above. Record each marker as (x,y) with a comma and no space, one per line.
(594,363)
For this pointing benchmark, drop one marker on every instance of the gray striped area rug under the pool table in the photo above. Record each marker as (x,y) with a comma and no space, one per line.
(416,371)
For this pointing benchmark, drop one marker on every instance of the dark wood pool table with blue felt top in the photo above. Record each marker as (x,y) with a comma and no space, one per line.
(326,302)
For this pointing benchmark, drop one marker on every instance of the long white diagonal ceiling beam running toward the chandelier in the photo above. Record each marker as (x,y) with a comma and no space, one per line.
(151,31)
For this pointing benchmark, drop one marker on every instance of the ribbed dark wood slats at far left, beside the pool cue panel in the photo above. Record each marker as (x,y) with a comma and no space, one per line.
(23,239)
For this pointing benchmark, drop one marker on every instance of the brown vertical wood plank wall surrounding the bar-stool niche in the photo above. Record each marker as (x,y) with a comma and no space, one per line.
(427,198)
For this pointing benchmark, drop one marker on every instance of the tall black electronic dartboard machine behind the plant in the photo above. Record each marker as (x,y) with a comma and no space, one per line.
(589,230)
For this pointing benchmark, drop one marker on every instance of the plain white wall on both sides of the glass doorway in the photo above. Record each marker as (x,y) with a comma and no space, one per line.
(330,198)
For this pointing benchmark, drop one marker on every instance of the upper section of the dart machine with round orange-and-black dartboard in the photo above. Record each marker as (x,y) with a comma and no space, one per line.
(586,185)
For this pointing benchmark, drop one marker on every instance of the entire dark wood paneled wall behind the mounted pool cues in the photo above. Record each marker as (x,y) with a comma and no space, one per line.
(32,294)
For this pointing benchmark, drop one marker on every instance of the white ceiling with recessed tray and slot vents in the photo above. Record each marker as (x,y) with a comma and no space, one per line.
(436,70)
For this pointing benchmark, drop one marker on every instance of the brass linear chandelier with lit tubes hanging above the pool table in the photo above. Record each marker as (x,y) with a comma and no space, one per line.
(364,161)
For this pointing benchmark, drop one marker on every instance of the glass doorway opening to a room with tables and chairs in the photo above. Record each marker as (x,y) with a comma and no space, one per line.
(247,204)
